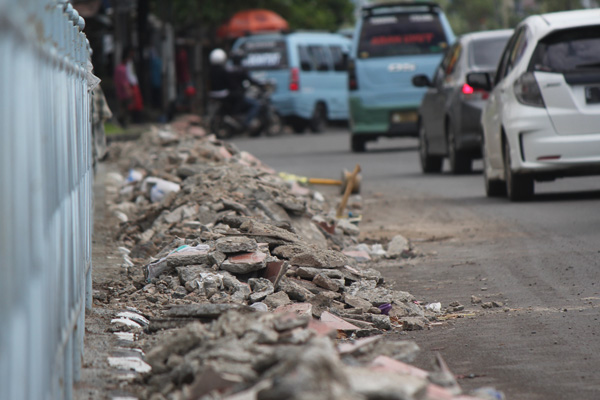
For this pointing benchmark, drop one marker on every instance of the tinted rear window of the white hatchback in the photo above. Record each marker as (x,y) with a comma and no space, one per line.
(570,50)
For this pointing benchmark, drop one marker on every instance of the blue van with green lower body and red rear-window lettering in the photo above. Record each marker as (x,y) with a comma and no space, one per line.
(392,43)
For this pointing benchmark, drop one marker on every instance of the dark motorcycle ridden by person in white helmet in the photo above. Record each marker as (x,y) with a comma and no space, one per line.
(225,122)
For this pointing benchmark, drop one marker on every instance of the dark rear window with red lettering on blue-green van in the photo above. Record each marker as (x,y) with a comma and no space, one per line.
(401,34)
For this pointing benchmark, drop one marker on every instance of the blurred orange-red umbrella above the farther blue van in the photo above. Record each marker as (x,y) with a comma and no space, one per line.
(252,21)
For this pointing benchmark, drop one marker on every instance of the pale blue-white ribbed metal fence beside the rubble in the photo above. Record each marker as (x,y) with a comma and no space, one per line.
(45,198)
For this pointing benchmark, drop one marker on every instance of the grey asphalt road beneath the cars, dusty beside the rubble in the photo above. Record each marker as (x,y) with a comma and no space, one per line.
(540,259)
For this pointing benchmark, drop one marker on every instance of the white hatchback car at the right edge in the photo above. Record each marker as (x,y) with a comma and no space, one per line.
(542,119)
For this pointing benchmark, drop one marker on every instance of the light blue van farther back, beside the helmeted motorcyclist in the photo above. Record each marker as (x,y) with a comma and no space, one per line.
(309,69)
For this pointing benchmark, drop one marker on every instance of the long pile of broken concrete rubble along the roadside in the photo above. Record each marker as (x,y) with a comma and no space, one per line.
(244,286)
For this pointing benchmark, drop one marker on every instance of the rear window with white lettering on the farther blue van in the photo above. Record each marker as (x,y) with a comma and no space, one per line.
(265,54)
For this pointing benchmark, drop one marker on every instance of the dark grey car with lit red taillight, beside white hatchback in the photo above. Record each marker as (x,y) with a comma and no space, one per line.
(450,112)
